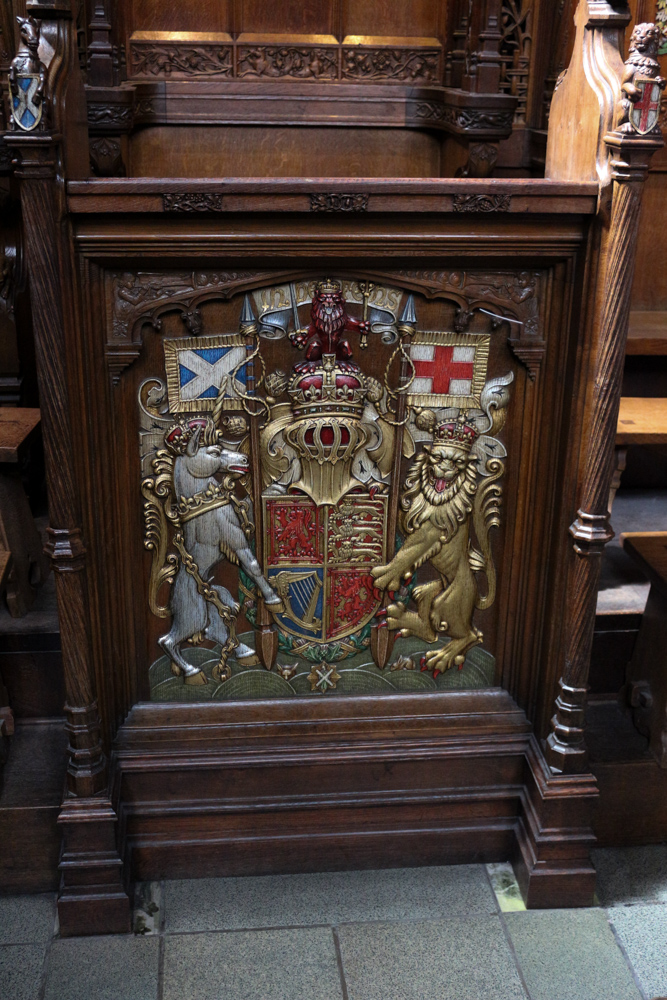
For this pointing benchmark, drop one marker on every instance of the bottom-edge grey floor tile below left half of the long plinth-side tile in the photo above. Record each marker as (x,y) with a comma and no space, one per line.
(252,965)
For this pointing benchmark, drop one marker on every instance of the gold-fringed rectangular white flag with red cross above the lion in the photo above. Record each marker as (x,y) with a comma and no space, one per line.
(449,368)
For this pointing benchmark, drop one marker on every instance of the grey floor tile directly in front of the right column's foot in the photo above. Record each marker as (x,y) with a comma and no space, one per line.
(570,953)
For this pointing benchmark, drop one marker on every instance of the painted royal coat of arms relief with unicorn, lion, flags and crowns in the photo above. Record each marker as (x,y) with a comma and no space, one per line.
(345,564)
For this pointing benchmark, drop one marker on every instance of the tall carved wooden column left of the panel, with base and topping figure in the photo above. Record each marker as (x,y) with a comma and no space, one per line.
(90,863)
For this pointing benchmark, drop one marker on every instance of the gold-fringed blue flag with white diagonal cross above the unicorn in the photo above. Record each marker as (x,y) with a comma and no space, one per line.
(198,367)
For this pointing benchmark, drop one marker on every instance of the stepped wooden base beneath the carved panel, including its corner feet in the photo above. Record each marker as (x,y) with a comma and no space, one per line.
(333,784)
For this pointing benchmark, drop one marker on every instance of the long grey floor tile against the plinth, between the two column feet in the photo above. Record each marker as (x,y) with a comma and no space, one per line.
(327,898)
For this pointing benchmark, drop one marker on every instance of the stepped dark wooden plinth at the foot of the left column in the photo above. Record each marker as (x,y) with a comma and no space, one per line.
(92,897)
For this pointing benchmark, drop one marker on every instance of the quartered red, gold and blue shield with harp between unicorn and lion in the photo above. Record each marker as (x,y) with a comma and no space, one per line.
(319,561)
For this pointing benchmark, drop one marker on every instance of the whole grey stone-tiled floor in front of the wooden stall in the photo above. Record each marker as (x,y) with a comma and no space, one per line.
(455,933)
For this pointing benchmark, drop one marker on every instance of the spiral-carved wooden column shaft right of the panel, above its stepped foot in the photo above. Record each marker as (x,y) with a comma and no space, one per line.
(630,155)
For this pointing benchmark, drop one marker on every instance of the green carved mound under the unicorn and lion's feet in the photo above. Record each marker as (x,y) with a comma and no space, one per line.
(357,675)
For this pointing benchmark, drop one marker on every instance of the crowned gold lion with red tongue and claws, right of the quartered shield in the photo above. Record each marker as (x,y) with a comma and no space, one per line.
(451,482)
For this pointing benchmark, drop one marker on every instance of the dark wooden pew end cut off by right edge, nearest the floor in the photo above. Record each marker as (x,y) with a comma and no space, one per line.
(647,674)
